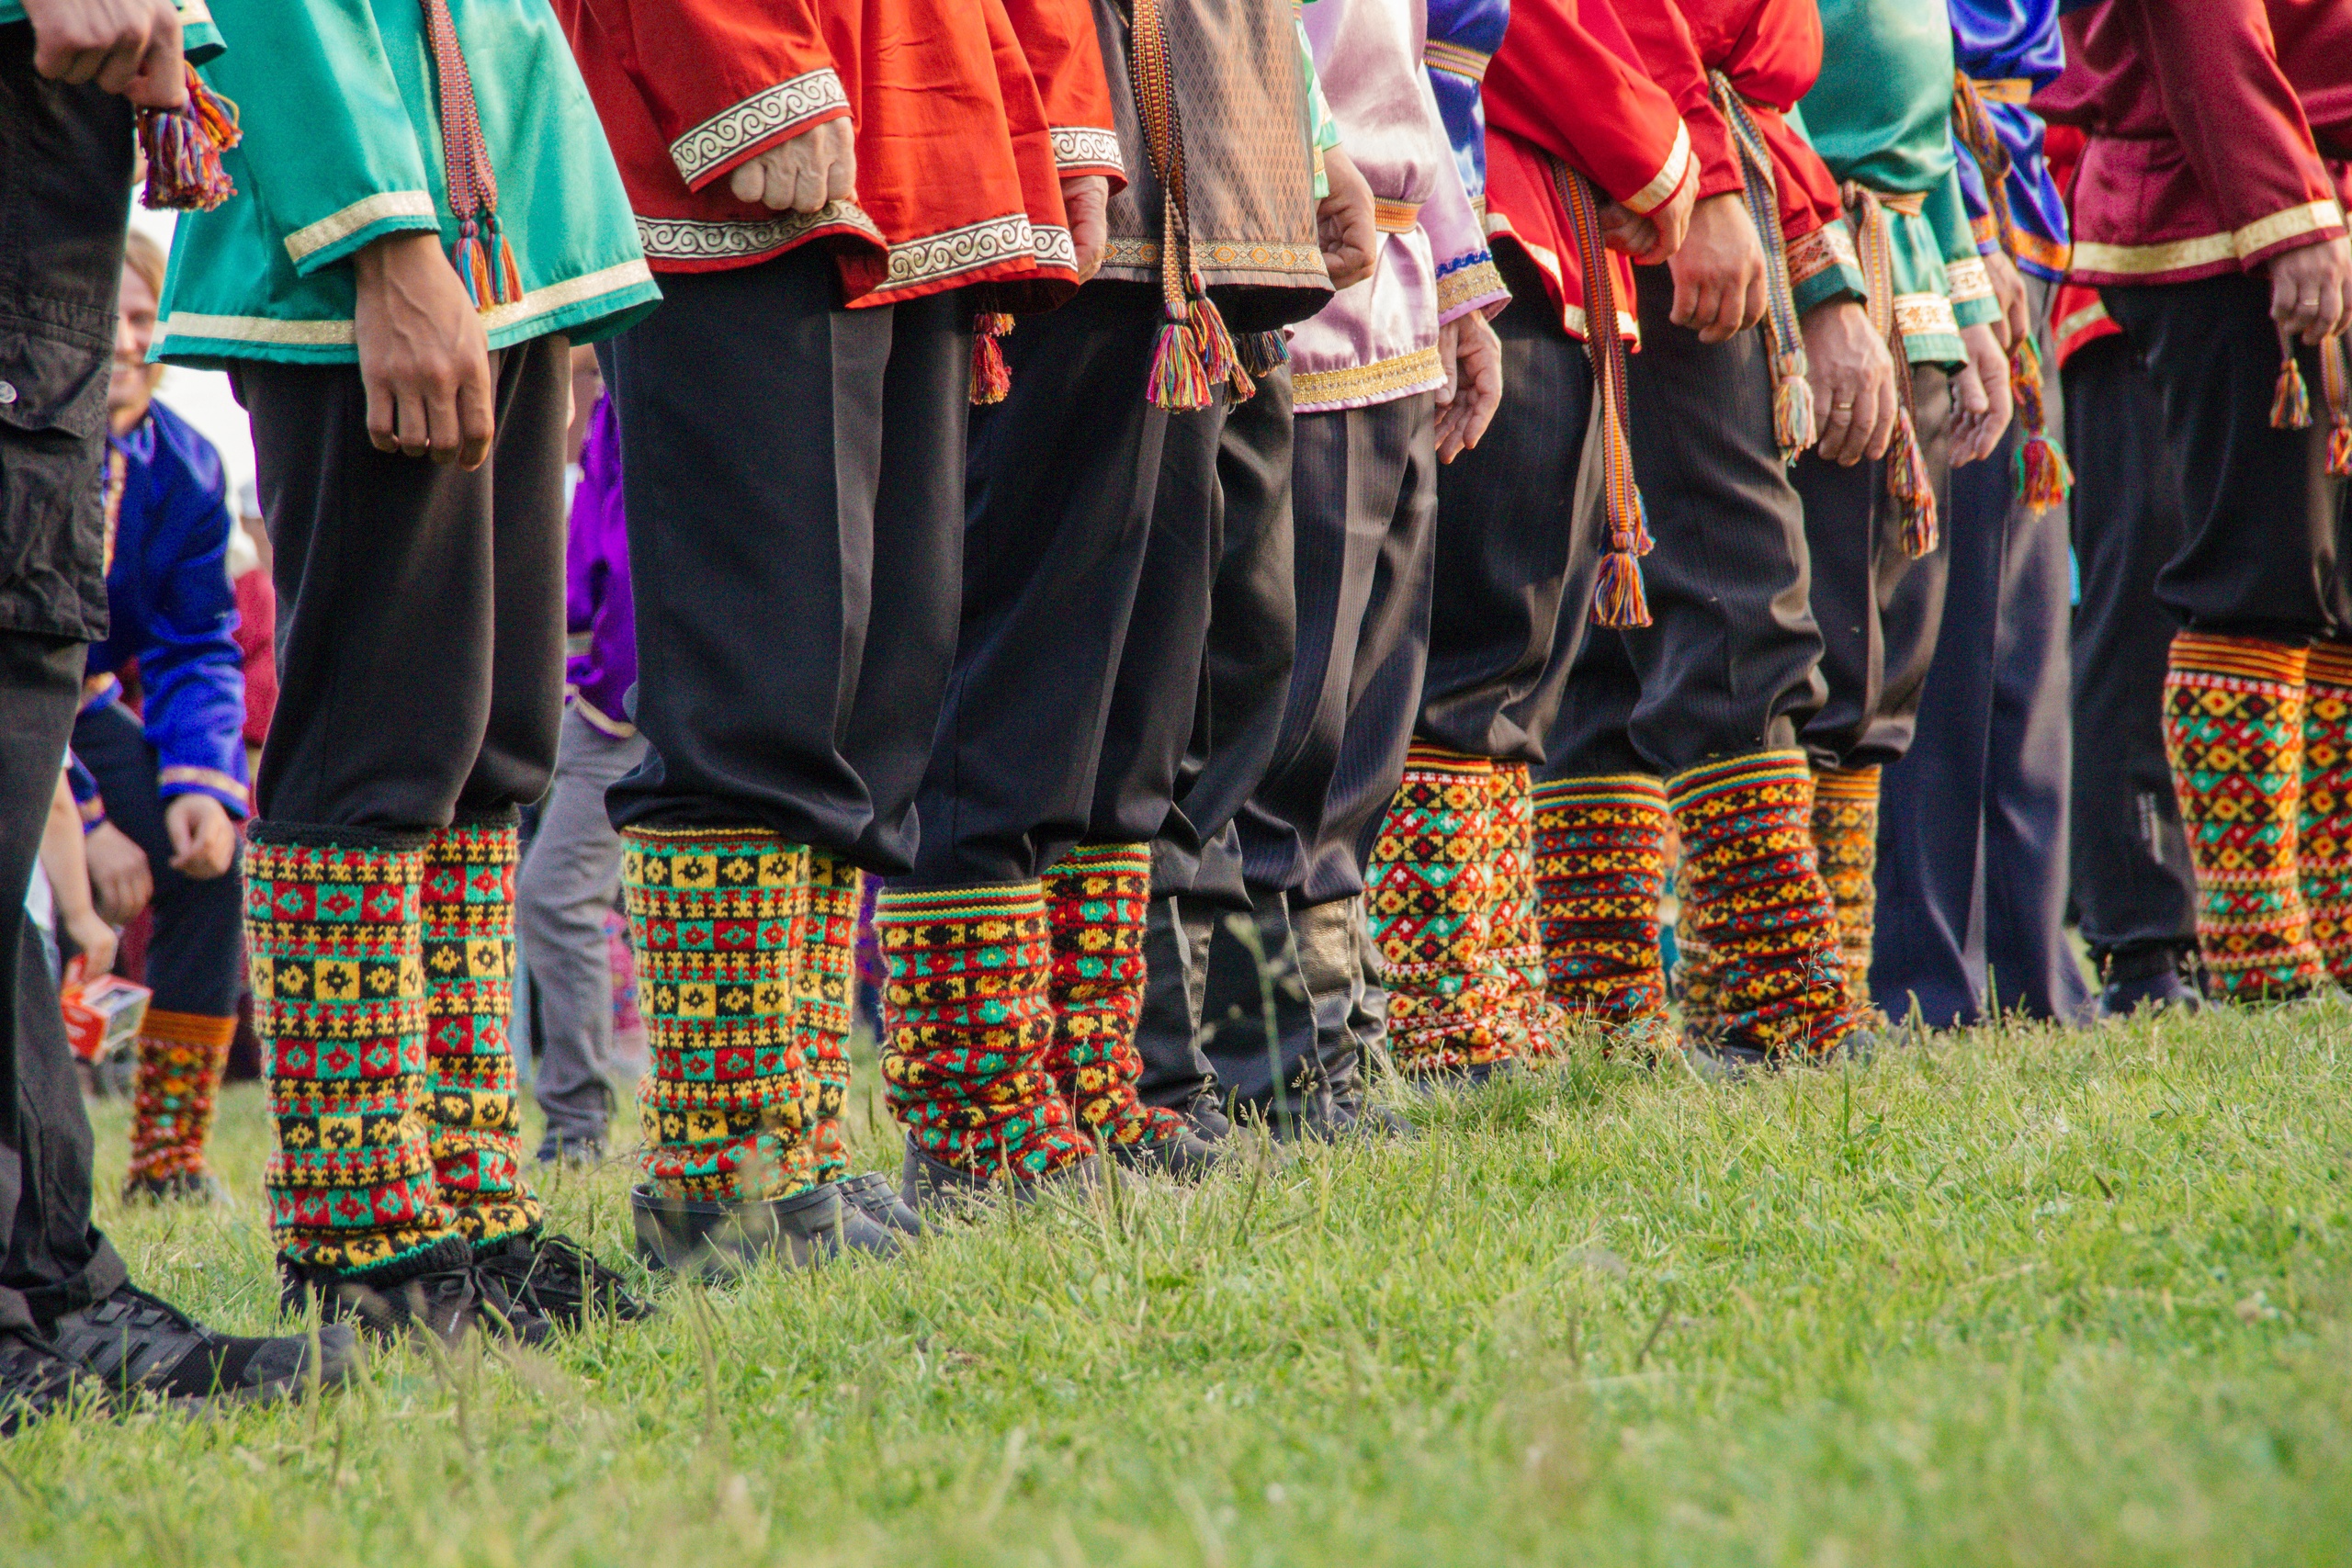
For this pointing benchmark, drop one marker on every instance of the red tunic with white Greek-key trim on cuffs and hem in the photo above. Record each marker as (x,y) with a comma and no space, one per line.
(968,119)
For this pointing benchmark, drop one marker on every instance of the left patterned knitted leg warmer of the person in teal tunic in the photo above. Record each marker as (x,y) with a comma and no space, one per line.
(340,1003)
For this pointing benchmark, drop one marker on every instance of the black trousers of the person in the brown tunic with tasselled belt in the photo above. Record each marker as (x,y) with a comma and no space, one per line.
(1090,554)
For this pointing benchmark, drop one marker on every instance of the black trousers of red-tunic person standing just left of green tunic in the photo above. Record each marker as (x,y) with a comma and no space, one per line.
(1730,657)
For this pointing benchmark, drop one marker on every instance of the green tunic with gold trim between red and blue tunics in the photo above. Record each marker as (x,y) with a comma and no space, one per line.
(1880,116)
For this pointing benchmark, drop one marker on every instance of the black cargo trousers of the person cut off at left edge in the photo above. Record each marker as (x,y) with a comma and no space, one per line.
(65,196)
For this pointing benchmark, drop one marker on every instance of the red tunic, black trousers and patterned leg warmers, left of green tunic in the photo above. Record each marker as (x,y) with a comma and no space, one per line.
(1692,721)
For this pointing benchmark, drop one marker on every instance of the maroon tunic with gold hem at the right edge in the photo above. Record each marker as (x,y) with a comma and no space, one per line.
(2203,121)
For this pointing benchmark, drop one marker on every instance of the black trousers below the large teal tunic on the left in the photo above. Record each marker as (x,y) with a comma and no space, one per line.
(420,608)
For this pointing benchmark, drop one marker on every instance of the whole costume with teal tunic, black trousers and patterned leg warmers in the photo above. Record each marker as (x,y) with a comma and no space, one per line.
(420,624)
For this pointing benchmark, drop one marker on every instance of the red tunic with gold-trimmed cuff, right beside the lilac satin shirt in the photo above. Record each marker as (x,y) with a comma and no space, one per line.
(1570,83)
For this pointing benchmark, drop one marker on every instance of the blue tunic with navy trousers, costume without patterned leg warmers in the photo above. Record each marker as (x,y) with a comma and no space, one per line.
(1972,878)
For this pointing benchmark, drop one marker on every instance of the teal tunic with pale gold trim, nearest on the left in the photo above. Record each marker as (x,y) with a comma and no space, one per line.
(342,147)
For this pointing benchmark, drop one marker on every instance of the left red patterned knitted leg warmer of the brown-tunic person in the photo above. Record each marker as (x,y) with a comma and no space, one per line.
(968,1024)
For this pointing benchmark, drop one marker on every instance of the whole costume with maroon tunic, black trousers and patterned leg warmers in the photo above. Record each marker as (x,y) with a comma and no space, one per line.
(2212,130)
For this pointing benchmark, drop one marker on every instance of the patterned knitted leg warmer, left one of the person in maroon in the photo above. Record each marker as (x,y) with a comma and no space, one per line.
(2233,732)
